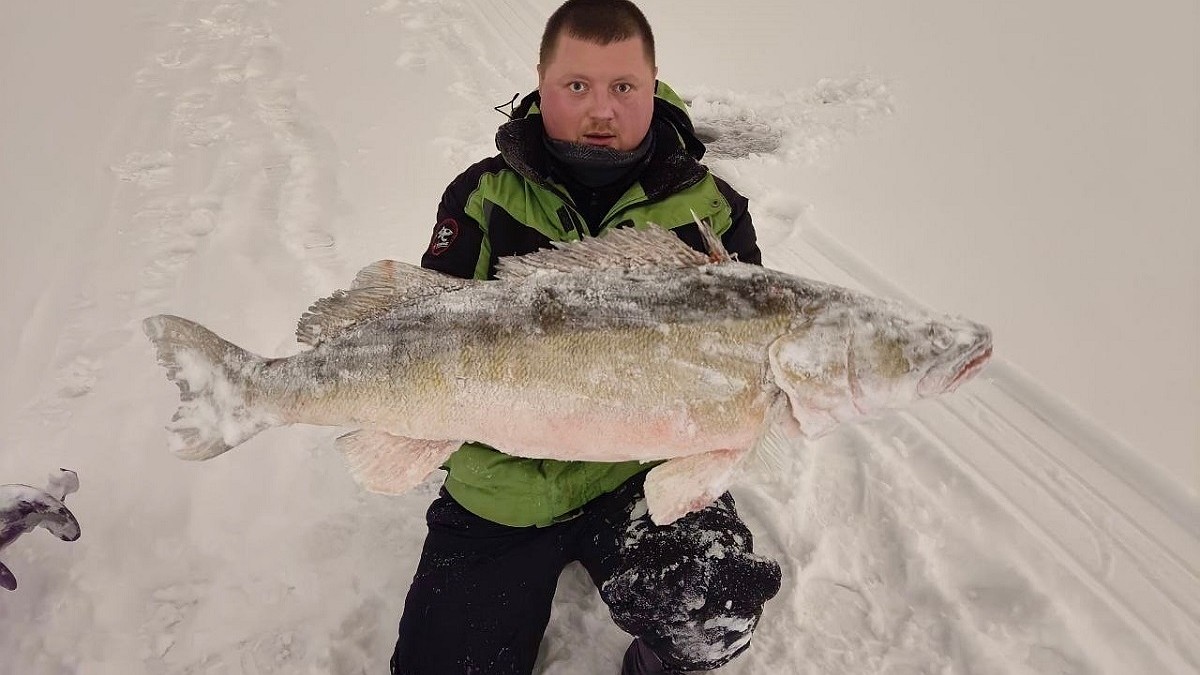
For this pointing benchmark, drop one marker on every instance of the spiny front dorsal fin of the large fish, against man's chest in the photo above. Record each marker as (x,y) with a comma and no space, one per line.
(625,248)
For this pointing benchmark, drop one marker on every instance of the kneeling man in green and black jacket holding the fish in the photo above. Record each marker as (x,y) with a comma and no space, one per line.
(601,145)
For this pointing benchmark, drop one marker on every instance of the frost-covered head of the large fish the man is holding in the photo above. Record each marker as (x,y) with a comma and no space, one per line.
(849,362)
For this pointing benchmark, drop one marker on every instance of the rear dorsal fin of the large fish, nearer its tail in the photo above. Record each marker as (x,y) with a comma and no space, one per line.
(377,288)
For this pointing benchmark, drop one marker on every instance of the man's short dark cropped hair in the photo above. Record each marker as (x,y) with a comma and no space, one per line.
(602,22)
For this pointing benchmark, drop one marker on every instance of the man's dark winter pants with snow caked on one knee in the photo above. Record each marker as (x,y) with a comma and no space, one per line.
(693,592)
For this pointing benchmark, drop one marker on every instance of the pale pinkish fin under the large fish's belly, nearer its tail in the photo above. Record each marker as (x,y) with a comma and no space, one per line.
(388,464)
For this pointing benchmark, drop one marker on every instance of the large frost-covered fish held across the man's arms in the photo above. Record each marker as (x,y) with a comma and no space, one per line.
(631,347)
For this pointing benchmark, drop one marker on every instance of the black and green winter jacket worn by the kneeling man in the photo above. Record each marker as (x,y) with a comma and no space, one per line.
(517,204)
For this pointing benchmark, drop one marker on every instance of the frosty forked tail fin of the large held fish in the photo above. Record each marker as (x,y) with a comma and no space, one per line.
(215,379)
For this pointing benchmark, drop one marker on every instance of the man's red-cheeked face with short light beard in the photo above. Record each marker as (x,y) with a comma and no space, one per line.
(598,94)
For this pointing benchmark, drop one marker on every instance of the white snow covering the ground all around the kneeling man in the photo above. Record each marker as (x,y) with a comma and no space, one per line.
(233,162)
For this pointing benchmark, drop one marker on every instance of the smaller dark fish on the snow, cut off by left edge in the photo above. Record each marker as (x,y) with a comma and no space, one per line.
(25,509)
